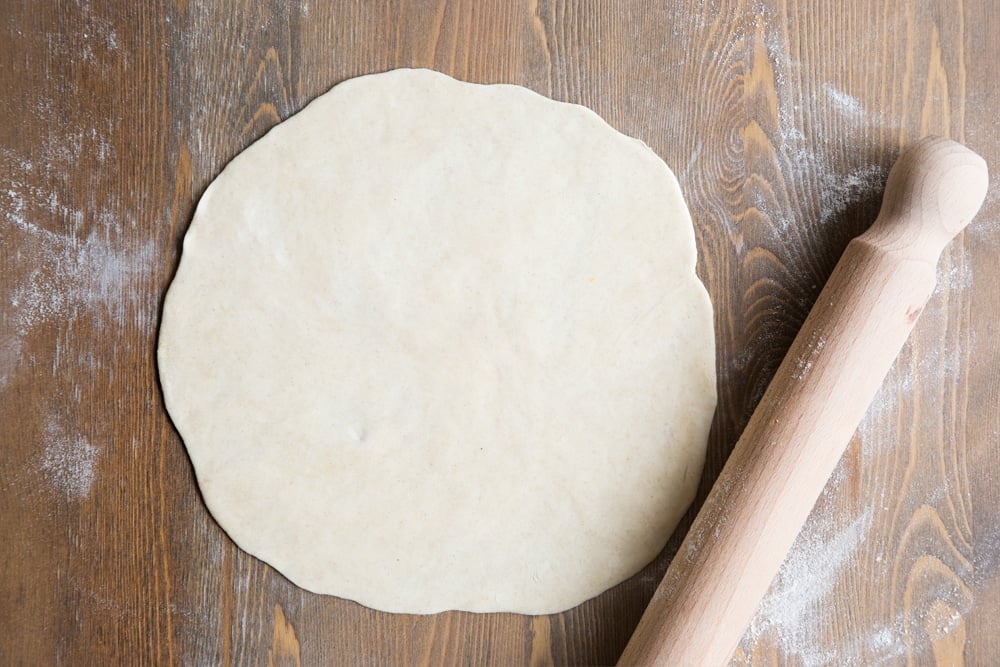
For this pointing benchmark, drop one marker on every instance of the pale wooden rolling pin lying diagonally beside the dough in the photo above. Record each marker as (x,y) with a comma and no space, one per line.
(809,412)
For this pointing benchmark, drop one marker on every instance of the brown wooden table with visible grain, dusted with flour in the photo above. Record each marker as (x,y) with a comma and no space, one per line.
(780,119)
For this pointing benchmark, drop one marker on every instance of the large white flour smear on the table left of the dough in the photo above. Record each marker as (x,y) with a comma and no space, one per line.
(71,262)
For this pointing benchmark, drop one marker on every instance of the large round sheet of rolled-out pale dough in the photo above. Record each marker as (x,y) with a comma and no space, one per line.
(437,345)
